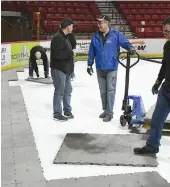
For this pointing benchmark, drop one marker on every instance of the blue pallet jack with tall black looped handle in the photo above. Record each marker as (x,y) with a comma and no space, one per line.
(136,114)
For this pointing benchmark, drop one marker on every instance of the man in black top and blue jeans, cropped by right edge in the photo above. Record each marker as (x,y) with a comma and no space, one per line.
(162,108)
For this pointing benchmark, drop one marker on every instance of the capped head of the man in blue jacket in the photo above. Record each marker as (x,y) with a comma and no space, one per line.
(103,23)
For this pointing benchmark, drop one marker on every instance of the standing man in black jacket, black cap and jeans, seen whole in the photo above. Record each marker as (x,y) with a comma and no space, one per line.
(62,67)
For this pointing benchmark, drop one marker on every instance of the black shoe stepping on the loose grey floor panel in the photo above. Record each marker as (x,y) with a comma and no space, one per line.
(146,150)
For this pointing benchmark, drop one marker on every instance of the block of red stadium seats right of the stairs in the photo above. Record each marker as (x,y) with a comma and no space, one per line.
(145,18)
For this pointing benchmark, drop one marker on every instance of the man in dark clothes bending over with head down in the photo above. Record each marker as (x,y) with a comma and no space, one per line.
(38,55)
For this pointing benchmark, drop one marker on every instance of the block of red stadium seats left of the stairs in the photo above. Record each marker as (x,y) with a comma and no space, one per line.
(51,13)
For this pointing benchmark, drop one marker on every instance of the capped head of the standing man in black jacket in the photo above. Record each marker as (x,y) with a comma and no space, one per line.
(67,25)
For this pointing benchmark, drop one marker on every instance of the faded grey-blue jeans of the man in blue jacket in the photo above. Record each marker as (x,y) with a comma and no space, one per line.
(107,84)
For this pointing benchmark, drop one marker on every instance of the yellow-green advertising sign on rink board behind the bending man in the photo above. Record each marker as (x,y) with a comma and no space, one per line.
(20,52)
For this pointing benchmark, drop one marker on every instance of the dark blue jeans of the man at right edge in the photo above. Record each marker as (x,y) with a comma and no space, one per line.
(162,109)
